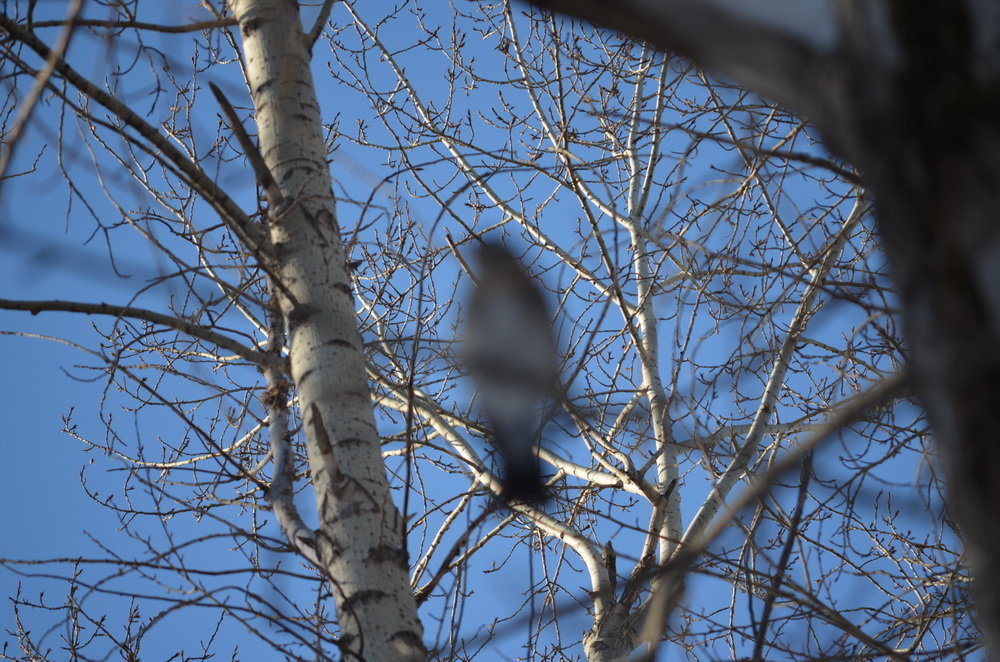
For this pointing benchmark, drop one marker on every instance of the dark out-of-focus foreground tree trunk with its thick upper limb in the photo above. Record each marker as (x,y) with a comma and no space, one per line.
(911,97)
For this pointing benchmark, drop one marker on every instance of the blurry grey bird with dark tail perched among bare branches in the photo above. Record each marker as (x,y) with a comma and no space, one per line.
(511,353)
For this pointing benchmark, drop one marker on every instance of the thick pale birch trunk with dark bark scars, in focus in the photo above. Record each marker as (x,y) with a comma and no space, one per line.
(360,543)
